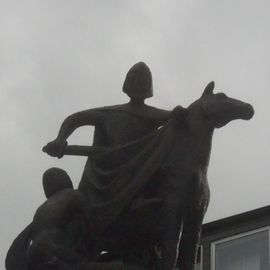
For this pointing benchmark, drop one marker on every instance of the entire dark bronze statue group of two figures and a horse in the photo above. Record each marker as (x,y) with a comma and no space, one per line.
(144,190)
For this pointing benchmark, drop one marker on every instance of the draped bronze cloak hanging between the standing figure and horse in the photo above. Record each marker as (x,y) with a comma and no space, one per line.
(115,176)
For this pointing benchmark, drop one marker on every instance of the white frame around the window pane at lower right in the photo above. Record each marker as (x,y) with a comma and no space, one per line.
(233,237)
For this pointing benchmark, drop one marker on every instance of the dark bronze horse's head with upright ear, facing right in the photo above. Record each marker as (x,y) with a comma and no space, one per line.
(219,109)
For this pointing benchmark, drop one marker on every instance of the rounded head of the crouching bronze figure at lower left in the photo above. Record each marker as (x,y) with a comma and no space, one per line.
(55,179)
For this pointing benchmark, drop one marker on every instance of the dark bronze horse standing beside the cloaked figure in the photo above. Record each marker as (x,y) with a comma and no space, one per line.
(178,188)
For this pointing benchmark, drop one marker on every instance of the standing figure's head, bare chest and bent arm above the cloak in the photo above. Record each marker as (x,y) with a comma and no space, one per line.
(119,124)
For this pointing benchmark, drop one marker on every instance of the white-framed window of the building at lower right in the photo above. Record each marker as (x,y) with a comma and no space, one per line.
(248,251)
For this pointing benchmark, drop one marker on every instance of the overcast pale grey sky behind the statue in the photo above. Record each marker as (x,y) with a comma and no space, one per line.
(58,57)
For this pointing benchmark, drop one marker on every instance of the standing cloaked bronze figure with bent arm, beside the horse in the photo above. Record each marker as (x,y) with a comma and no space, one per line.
(134,148)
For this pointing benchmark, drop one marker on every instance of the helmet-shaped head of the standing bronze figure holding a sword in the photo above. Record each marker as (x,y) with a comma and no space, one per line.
(138,83)
